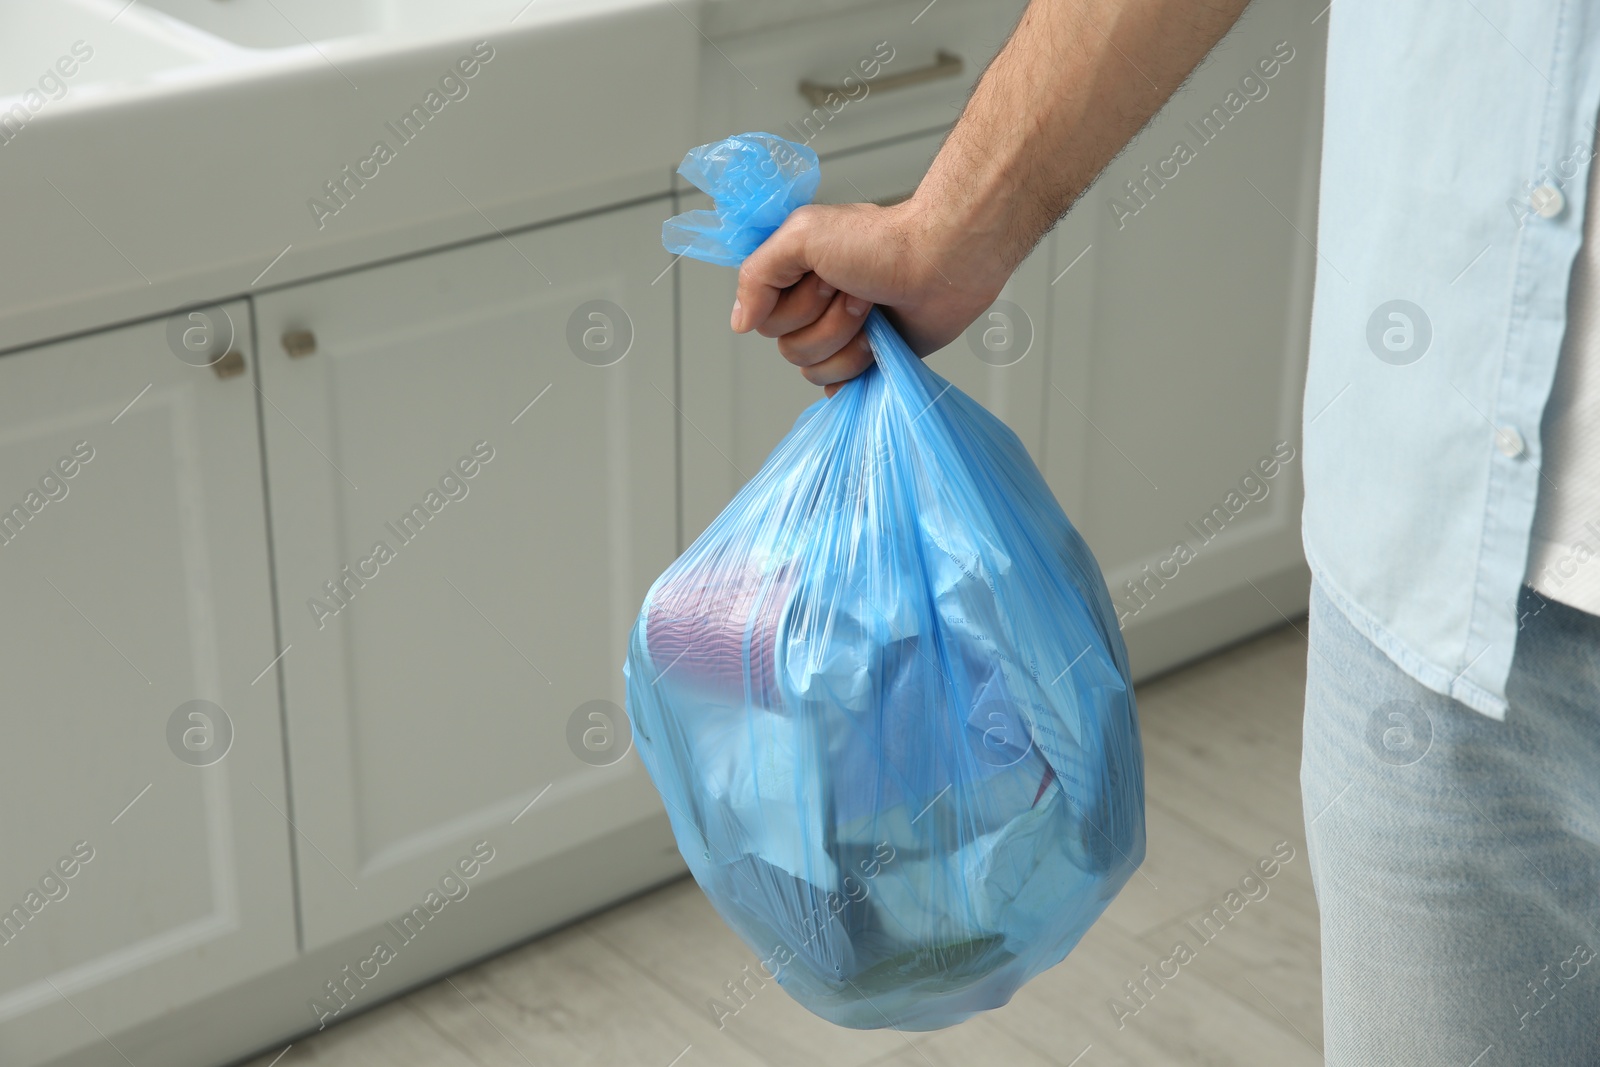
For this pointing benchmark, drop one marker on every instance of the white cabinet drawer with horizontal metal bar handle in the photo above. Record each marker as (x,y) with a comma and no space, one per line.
(924,62)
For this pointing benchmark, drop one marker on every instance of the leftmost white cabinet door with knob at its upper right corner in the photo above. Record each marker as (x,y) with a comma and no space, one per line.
(143,821)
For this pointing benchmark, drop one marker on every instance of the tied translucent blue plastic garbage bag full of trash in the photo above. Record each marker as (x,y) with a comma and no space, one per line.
(884,697)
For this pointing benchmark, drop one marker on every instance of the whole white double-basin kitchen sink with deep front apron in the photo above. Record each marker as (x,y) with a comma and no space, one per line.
(185,158)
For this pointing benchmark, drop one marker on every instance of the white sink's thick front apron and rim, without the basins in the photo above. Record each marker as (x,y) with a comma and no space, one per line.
(214,225)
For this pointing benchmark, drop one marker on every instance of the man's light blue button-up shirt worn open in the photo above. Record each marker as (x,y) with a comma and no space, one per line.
(1457,150)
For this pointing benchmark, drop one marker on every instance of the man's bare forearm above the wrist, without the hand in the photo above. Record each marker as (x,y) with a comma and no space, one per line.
(1071,87)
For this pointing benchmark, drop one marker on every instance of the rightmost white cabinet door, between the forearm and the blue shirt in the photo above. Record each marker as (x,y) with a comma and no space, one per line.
(1178,353)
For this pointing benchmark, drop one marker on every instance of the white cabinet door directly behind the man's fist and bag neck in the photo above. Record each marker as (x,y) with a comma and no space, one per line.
(740,396)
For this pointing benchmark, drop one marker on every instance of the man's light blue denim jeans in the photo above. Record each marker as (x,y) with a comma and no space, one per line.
(1457,860)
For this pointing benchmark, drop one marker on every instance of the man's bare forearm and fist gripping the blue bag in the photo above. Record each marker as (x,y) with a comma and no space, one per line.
(1073,86)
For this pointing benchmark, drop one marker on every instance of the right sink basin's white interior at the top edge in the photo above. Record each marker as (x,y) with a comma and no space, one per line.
(289,23)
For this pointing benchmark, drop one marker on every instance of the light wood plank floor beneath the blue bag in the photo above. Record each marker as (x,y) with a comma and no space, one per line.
(631,988)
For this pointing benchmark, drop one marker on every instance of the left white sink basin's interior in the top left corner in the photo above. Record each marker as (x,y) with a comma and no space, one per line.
(82,38)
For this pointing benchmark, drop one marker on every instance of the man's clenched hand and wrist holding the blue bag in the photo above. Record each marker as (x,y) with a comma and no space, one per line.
(812,282)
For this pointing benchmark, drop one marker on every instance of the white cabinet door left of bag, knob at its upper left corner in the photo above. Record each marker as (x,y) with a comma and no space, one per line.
(473,484)
